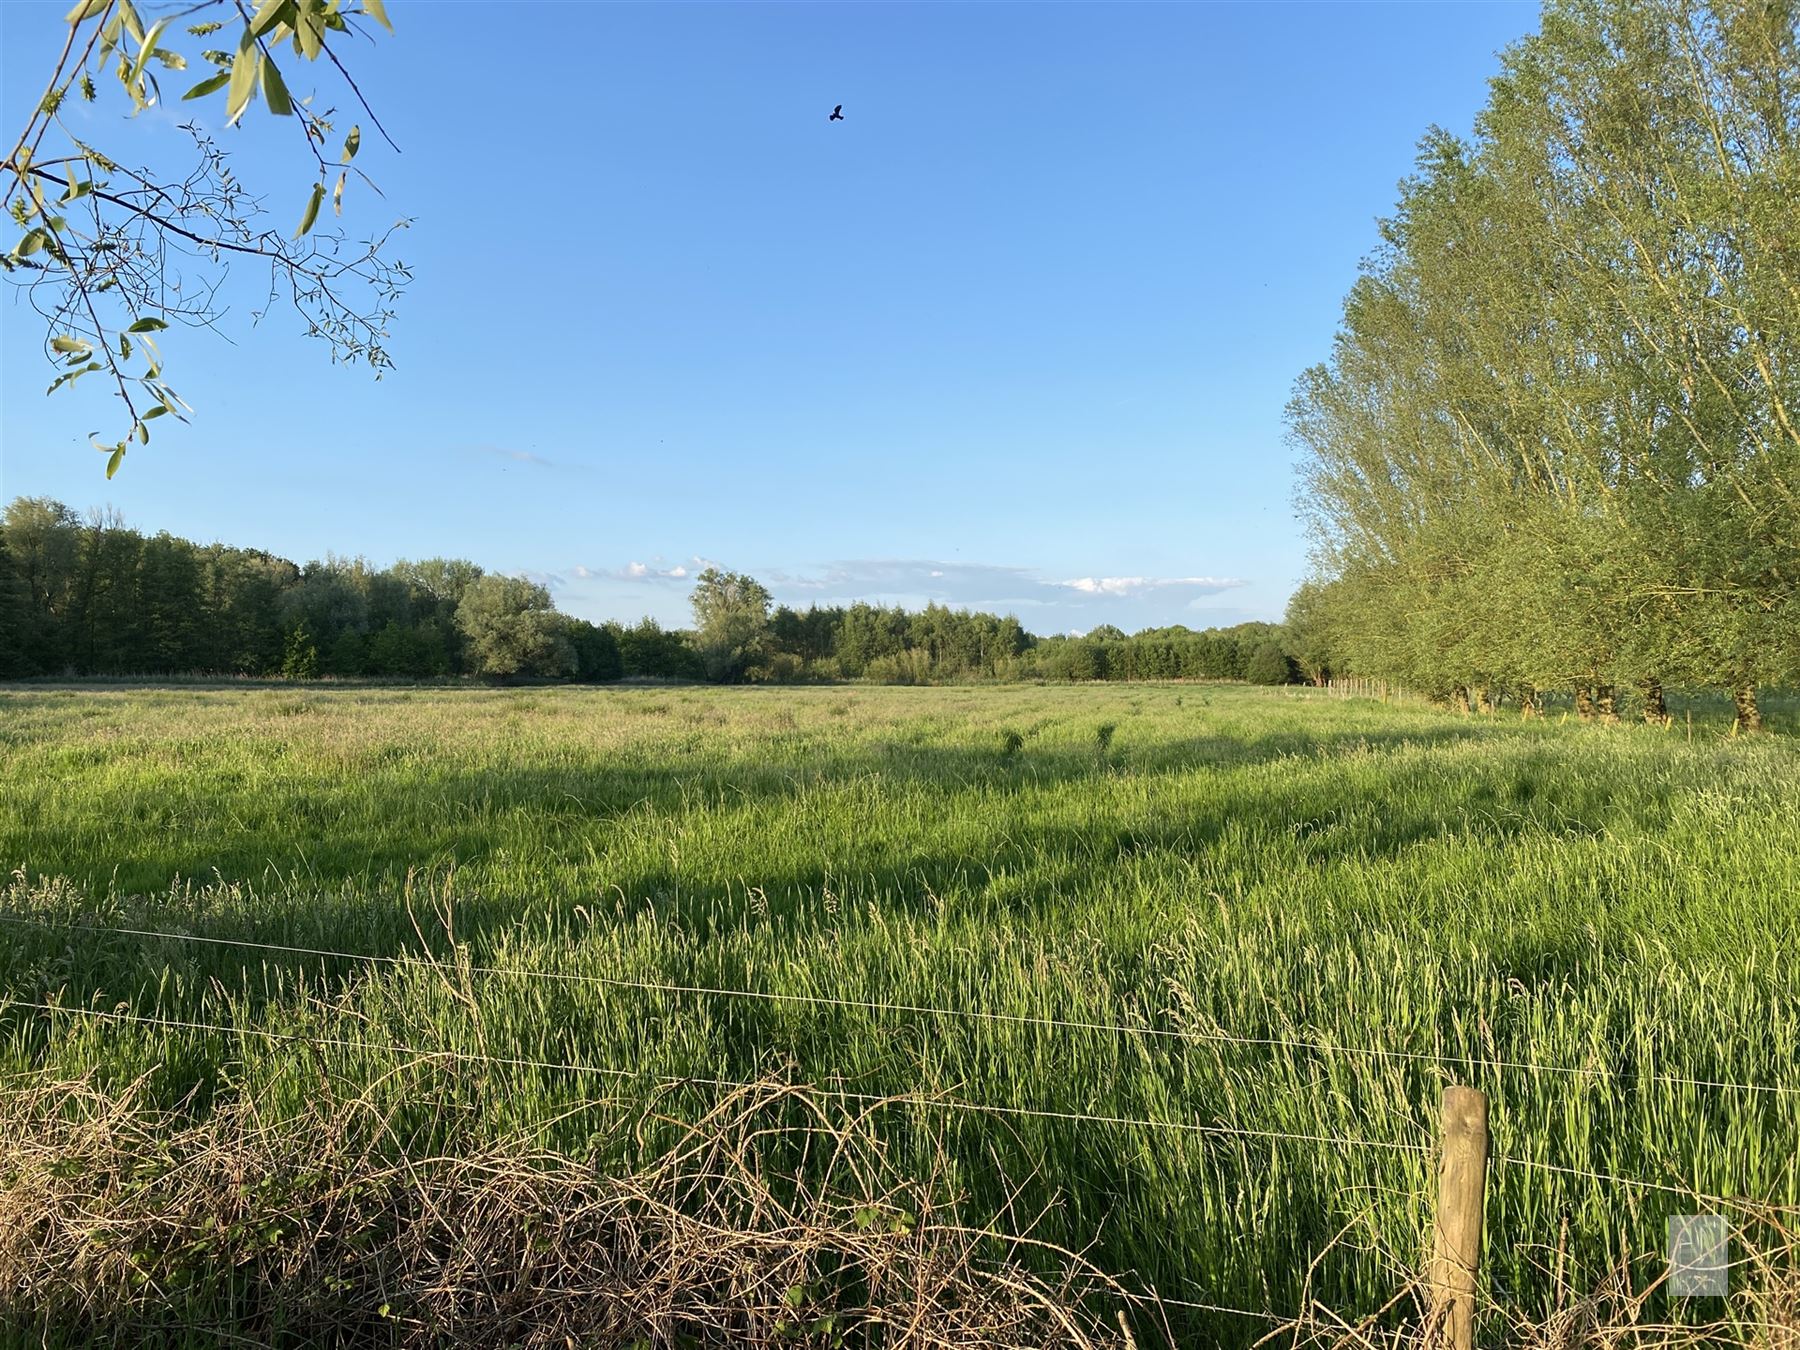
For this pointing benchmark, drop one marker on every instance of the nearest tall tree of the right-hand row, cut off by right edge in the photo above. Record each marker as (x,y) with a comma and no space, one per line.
(1657,186)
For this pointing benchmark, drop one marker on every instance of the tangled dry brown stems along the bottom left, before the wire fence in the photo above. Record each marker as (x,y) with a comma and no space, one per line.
(129,1225)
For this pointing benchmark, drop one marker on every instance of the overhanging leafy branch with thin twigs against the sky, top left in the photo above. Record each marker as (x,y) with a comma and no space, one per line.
(112,251)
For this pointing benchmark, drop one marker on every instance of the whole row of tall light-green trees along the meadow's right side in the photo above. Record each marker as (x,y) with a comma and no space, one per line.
(1556,445)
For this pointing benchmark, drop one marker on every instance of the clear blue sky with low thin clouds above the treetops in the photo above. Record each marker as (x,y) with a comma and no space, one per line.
(1014,336)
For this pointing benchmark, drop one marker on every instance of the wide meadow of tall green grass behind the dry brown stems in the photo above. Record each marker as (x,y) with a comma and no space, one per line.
(1275,865)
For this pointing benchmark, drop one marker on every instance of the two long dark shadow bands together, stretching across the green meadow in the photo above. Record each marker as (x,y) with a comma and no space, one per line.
(348,886)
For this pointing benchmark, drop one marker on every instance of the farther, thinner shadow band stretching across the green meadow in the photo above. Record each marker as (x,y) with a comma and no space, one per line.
(390,822)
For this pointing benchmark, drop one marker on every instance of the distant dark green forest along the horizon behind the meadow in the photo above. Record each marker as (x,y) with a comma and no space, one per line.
(91,597)
